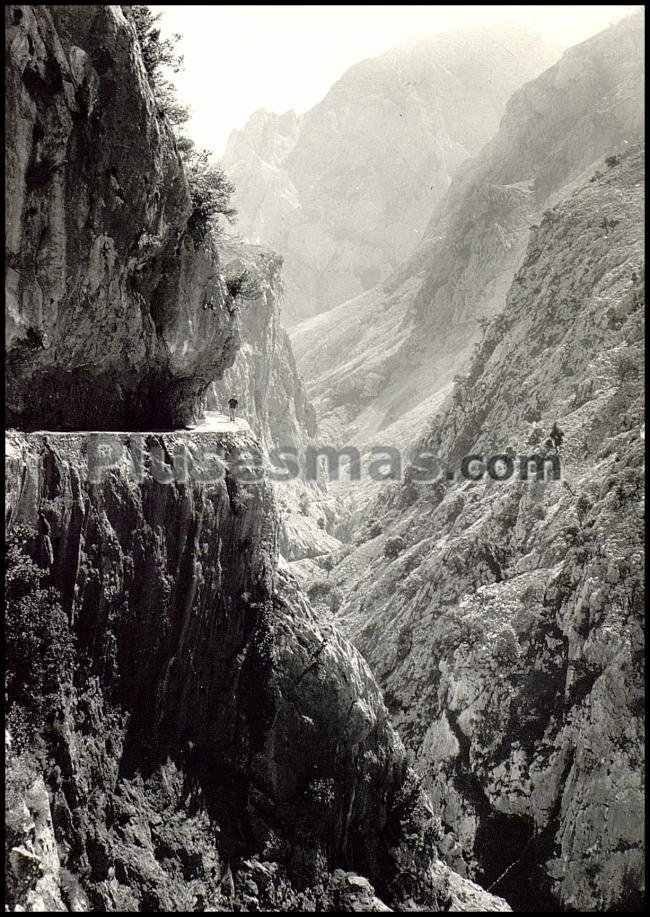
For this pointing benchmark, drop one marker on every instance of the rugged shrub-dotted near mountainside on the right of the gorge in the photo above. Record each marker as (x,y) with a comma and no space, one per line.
(505,622)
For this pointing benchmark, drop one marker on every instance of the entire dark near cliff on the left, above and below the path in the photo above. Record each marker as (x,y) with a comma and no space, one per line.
(200,739)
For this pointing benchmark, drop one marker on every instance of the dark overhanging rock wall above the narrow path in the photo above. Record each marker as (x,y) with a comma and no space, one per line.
(105,323)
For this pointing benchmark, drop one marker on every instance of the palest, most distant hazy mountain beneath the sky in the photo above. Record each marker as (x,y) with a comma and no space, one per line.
(345,191)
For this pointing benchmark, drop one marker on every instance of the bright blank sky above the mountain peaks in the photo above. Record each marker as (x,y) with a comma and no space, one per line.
(241,58)
